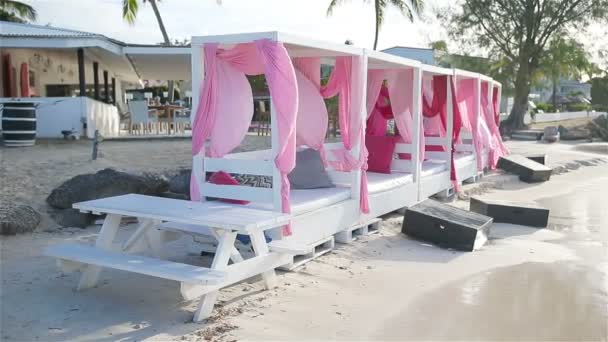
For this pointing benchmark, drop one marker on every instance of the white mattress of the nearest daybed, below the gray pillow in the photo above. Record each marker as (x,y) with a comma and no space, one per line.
(303,201)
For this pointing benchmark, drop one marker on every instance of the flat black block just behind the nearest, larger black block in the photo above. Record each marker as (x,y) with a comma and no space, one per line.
(527,214)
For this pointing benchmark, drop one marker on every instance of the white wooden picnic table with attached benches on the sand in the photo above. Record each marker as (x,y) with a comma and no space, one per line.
(158,216)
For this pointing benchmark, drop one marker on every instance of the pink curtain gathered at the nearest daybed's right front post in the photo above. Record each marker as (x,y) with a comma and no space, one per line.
(346,80)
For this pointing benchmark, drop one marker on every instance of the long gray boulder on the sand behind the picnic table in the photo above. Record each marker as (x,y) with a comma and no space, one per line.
(105,183)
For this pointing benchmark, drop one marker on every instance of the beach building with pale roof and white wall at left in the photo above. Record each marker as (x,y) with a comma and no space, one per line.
(79,78)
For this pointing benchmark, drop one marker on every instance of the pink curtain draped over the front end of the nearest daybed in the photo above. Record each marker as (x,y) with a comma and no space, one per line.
(225,90)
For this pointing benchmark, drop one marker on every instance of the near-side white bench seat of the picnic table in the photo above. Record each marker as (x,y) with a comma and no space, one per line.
(138,264)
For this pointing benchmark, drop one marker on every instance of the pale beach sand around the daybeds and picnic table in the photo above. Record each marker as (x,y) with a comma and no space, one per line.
(527,283)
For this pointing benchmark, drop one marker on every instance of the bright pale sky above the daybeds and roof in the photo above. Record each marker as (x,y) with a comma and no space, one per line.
(353,20)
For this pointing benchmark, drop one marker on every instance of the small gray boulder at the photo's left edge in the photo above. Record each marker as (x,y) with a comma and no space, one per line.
(17,218)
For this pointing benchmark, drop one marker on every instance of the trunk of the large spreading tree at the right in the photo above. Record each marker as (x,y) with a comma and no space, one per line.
(522,91)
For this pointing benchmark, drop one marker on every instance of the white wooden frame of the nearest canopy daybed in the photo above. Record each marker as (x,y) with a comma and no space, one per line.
(316,214)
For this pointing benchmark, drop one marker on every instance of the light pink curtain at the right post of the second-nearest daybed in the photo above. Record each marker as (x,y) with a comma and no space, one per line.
(400,85)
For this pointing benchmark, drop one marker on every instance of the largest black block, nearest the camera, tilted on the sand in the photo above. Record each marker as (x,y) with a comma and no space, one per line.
(446,226)
